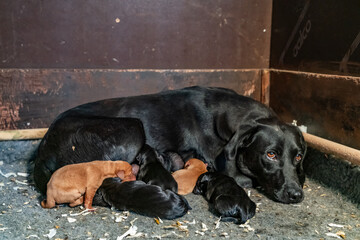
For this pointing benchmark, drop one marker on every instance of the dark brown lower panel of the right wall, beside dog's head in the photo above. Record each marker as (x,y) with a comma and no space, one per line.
(328,105)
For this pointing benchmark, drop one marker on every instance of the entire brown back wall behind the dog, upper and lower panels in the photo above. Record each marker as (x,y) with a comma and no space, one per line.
(57,54)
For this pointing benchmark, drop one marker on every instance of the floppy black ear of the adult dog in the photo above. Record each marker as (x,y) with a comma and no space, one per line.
(240,139)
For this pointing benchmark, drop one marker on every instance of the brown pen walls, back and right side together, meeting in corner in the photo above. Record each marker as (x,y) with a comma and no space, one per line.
(300,57)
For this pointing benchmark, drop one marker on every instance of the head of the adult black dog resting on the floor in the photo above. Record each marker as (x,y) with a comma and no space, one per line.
(271,152)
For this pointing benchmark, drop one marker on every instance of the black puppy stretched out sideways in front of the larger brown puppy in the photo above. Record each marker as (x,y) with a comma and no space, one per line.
(139,197)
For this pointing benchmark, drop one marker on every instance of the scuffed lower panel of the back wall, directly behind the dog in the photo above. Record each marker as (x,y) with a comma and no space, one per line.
(32,98)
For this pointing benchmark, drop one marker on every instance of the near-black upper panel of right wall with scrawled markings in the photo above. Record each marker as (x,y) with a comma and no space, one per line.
(316,36)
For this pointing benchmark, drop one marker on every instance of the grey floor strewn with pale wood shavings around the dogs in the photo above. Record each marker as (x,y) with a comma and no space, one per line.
(323,214)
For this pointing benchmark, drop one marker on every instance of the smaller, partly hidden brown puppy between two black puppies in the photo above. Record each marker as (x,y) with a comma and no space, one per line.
(187,177)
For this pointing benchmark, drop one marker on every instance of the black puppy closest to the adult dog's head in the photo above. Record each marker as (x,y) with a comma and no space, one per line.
(228,199)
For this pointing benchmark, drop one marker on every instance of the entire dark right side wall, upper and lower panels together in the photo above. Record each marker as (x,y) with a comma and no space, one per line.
(315,57)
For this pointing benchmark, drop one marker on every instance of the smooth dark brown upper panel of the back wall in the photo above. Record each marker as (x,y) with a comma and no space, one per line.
(141,34)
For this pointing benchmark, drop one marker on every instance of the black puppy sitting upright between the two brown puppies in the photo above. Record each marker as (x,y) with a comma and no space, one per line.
(152,170)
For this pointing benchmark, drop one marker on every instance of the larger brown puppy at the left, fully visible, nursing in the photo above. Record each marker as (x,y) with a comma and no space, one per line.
(76,182)
